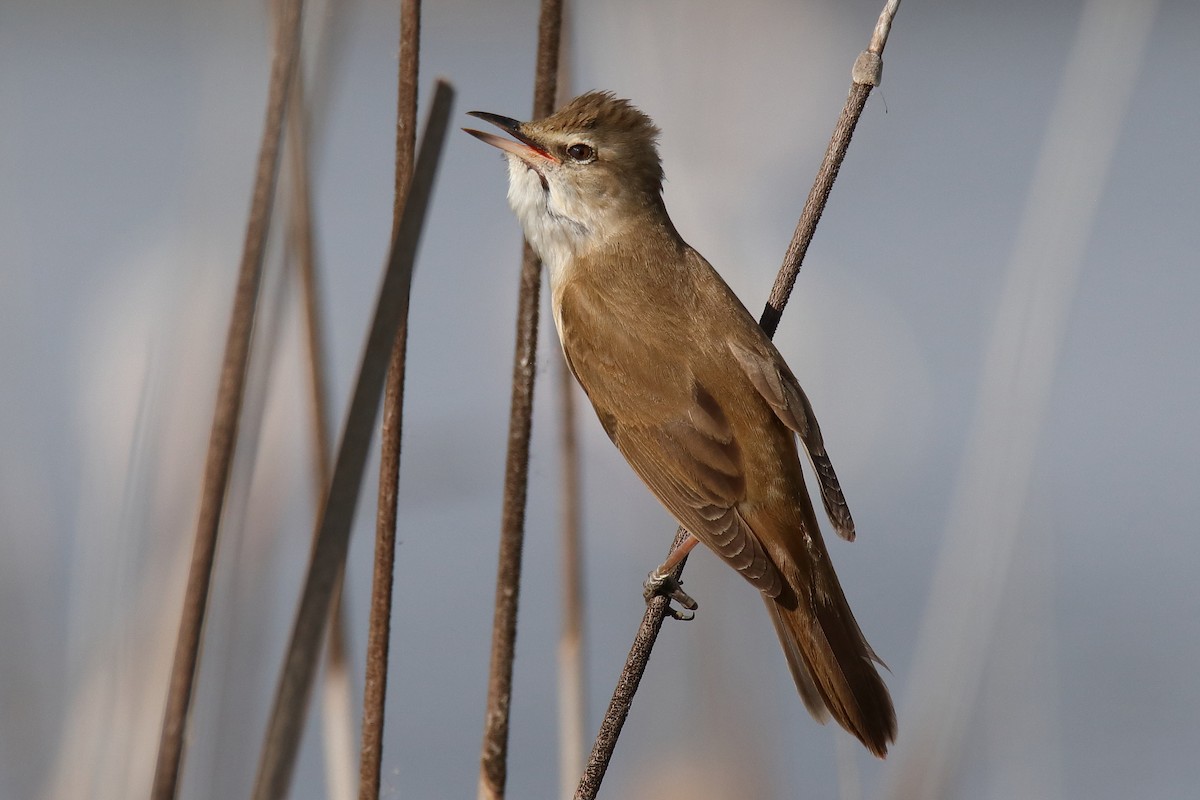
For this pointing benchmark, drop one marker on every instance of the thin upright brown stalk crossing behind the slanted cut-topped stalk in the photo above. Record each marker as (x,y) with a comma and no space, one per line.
(375,688)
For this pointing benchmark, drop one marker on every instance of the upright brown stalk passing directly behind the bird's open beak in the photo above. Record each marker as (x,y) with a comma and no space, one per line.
(494,759)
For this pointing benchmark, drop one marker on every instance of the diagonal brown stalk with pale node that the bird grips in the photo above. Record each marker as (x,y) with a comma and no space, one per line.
(867,75)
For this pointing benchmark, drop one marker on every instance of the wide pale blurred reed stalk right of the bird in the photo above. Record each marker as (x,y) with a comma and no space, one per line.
(986,522)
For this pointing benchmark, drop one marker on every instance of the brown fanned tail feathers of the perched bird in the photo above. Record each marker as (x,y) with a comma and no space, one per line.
(832,666)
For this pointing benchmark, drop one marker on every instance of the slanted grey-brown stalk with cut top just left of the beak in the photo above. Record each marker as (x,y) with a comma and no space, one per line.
(328,556)
